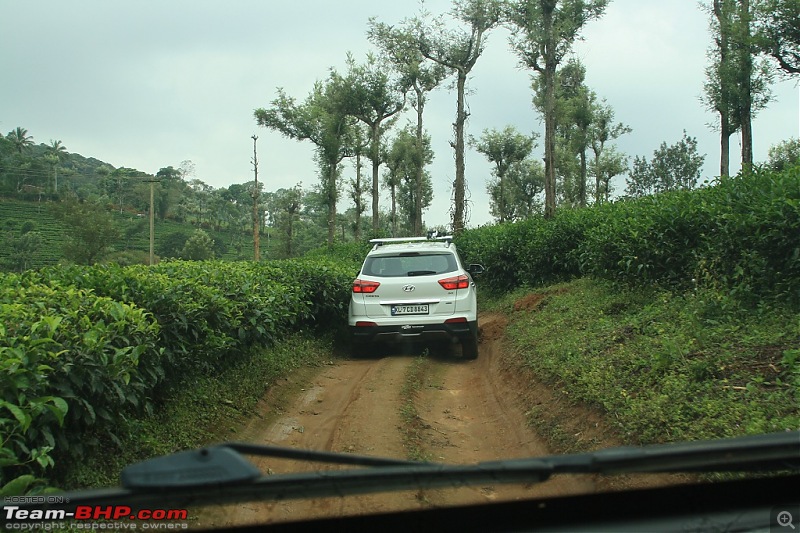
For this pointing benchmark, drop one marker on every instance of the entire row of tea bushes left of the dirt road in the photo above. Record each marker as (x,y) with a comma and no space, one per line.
(84,348)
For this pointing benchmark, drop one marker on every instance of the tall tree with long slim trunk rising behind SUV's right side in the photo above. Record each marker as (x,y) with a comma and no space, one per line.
(458,51)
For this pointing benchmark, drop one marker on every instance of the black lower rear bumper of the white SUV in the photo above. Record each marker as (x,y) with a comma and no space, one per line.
(453,331)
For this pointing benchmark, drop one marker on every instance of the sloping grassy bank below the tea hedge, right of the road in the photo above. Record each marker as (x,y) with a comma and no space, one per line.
(661,366)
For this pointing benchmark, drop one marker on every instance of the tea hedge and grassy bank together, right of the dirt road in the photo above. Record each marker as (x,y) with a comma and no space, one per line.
(676,315)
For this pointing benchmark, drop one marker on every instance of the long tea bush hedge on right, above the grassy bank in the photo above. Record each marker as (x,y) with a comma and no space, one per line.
(741,236)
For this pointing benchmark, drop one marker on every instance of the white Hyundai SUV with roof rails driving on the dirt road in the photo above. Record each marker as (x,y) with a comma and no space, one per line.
(414,290)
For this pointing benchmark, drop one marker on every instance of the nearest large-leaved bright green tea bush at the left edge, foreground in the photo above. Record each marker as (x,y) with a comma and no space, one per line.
(72,364)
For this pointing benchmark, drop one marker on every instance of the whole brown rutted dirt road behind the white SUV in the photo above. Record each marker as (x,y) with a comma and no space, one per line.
(459,412)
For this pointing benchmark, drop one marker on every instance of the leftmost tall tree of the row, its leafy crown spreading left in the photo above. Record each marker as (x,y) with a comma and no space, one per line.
(321,120)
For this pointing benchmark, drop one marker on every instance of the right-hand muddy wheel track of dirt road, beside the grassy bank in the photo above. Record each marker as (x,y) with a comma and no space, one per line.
(471,412)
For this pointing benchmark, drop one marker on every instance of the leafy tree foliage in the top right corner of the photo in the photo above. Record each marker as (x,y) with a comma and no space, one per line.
(778,32)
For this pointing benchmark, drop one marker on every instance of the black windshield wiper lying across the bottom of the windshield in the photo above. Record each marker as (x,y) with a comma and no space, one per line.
(221,474)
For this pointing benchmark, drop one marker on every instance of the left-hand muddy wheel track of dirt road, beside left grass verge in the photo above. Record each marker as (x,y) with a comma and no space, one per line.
(350,407)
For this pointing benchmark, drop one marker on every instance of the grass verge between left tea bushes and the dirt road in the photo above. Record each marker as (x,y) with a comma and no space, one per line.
(203,412)
